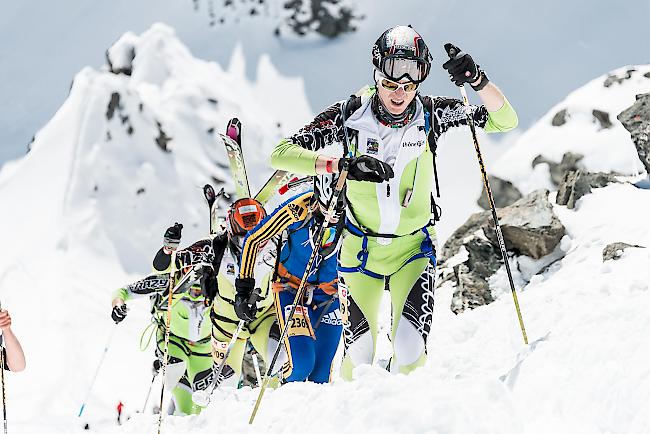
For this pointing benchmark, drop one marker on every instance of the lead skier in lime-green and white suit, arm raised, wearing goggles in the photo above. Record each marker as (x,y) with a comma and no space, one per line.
(389,140)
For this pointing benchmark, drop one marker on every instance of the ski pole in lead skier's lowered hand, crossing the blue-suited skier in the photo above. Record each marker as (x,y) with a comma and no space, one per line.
(303,284)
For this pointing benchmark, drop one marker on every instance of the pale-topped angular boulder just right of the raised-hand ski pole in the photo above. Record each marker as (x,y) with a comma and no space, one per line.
(529,226)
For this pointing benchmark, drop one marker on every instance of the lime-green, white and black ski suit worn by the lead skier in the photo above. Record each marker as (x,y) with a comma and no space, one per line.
(388,240)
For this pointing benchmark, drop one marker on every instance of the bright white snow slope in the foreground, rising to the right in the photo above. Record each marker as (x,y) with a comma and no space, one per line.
(585,370)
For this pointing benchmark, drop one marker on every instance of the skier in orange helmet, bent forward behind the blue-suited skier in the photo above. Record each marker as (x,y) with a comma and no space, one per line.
(261,327)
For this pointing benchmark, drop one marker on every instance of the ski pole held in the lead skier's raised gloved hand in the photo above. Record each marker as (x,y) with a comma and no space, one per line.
(453,51)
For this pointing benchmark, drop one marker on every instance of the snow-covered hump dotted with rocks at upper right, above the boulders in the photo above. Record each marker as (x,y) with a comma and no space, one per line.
(584,123)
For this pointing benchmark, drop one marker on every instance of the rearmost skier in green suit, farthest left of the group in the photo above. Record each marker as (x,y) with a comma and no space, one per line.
(190,359)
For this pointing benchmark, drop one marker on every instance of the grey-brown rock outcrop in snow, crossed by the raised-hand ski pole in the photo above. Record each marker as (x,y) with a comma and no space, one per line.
(529,227)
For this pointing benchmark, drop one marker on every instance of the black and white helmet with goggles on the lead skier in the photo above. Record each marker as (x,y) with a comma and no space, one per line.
(401,52)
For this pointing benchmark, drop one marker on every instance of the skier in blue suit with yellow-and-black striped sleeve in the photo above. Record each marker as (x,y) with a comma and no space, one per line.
(315,331)
